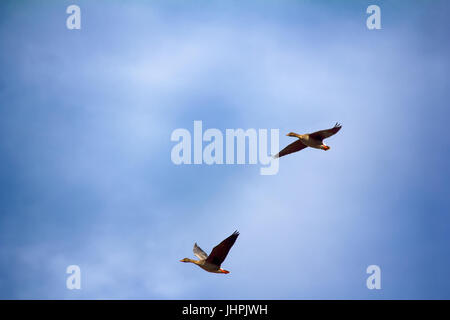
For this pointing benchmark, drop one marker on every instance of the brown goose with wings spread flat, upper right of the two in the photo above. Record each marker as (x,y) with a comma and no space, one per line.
(313,140)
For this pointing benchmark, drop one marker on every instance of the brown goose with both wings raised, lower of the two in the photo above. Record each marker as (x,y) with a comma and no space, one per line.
(212,262)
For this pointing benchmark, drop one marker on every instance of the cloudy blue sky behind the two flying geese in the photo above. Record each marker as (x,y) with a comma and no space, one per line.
(86,172)
